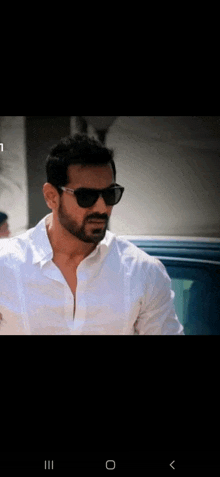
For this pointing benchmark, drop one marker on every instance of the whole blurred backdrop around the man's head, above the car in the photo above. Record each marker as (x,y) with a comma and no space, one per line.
(169,166)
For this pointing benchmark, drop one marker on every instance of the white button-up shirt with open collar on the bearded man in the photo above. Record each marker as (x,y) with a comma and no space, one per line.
(121,290)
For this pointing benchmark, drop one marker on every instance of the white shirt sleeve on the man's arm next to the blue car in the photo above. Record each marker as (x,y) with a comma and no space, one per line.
(157,314)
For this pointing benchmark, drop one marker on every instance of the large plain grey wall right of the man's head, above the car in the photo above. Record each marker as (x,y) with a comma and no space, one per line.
(169,167)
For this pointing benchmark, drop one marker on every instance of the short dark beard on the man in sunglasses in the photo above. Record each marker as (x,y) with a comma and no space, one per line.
(87,232)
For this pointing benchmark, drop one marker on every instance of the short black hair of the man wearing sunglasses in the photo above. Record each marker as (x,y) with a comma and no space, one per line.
(77,149)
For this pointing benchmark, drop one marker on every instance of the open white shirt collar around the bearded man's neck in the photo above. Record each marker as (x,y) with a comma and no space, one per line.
(41,246)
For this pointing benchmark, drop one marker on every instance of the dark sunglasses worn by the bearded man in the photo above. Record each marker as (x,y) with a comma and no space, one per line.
(88,197)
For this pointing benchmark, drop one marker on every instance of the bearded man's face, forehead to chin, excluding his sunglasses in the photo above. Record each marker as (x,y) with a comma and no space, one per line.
(74,218)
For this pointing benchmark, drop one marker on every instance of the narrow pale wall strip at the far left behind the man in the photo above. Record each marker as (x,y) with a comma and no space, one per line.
(13,173)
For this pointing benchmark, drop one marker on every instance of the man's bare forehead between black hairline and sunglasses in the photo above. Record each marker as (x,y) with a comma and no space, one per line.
(90,176)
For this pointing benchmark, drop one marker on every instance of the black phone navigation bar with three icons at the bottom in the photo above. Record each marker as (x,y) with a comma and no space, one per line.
(119,462)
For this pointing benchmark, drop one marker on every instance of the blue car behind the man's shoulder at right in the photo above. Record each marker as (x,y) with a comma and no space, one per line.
(193,265)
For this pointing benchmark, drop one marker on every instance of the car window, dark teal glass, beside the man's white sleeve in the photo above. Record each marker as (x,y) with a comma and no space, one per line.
(197,297)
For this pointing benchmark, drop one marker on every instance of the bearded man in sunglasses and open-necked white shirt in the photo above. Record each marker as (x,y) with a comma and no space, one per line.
(69,274)
